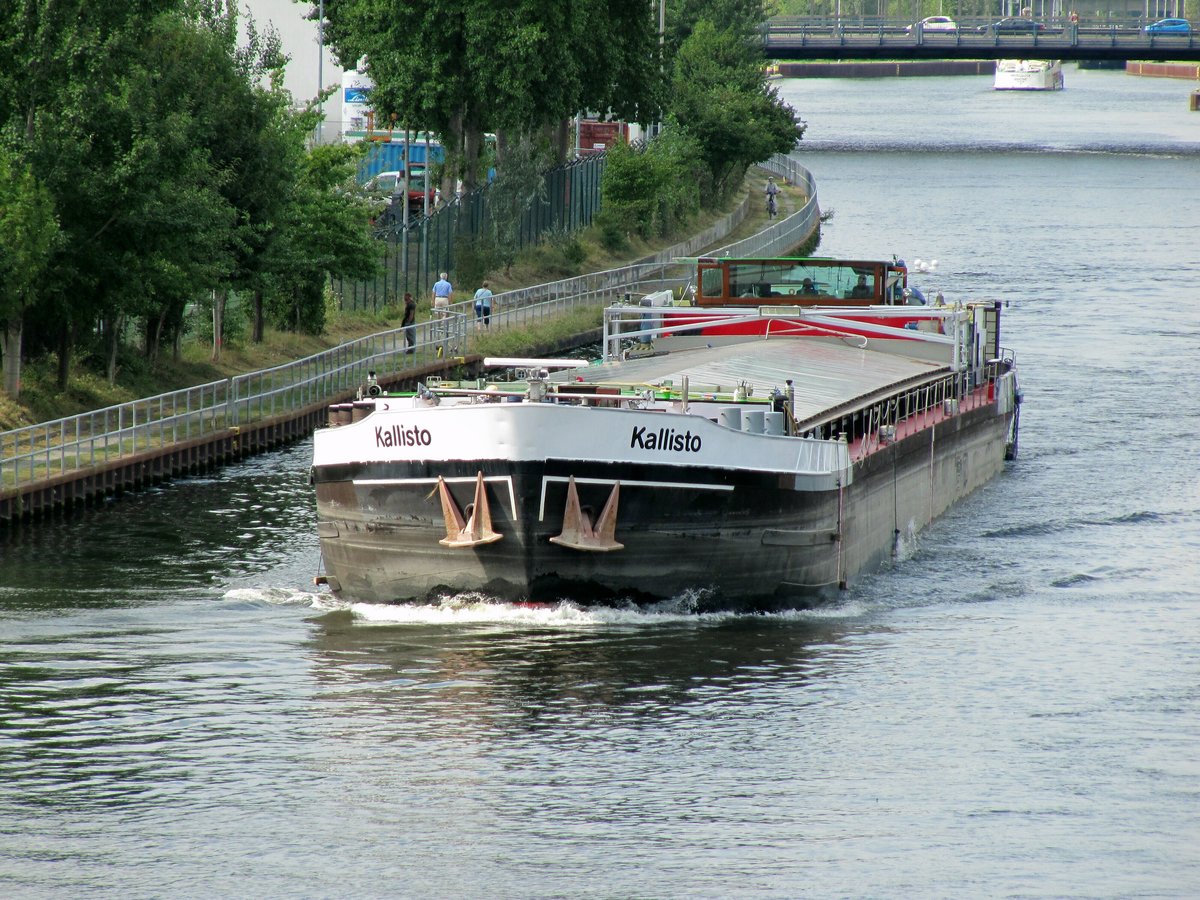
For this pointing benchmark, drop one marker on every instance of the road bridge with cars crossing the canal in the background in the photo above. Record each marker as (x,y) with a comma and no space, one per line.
(861,39)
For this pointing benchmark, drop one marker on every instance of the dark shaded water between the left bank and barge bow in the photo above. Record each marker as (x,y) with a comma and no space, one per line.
(184,536)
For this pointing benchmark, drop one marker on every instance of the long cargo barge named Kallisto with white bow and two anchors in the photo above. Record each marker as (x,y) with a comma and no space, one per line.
(757,442)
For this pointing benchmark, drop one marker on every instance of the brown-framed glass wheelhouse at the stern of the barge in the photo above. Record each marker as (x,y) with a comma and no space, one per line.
(811,281)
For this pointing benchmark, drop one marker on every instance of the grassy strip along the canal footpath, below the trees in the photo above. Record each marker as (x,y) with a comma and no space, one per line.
(43,401)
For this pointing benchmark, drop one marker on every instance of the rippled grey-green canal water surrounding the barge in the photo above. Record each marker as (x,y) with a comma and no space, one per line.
(1012,710)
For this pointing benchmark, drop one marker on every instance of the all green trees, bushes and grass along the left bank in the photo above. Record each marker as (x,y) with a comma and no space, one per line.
(165,219)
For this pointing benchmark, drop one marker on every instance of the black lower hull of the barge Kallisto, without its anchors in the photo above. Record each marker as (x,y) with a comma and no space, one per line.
(733,538)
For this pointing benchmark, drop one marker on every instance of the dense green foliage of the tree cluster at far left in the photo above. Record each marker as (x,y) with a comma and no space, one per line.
(175,164)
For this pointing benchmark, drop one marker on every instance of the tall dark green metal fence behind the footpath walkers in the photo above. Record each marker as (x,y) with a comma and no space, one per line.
(416,254)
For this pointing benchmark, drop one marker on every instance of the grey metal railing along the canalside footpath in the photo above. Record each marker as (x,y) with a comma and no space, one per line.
(38,453)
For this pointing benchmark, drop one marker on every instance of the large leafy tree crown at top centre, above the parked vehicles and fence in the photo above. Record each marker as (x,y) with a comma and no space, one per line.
(464,68)
